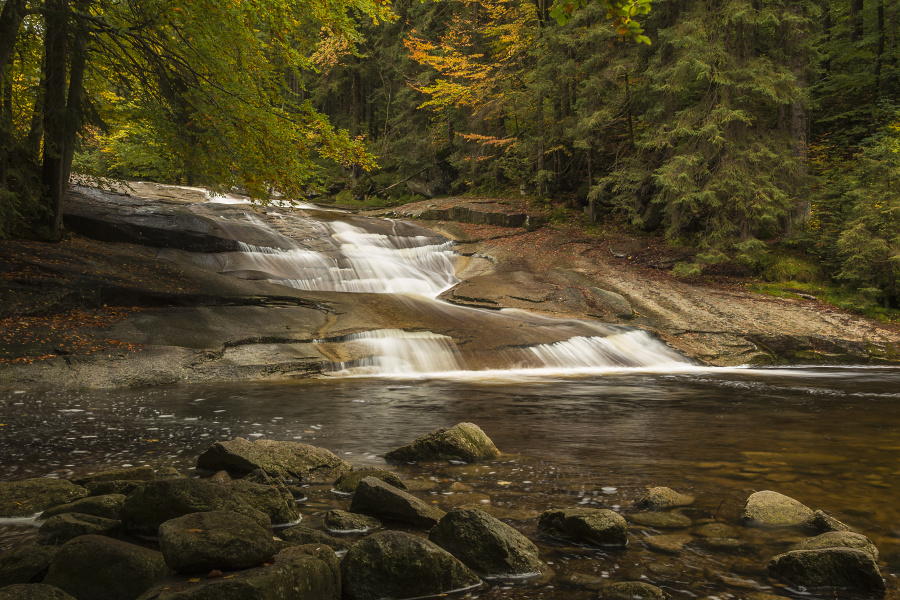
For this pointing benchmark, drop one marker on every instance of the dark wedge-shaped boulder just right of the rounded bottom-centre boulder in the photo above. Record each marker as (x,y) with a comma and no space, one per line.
(488,546)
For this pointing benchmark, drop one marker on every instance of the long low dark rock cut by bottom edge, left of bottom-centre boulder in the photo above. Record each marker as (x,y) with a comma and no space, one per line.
(288,577)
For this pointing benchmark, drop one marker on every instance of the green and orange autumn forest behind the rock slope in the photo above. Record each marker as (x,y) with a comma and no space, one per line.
(763,134)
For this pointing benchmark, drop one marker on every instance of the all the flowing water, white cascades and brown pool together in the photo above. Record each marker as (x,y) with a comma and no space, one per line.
(591,418)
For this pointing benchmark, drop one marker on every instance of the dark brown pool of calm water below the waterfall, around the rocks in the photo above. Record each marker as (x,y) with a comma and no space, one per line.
(828,437)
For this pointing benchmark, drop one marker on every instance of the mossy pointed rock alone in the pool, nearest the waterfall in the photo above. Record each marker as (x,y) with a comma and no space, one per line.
(464,442)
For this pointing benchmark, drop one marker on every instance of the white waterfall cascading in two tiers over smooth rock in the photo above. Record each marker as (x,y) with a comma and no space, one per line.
(386,257)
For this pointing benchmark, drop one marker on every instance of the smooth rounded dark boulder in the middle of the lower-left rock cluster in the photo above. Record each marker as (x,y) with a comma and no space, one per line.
(224,540)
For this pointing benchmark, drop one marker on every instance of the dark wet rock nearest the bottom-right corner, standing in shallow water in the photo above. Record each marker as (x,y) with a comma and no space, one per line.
(828,568)
